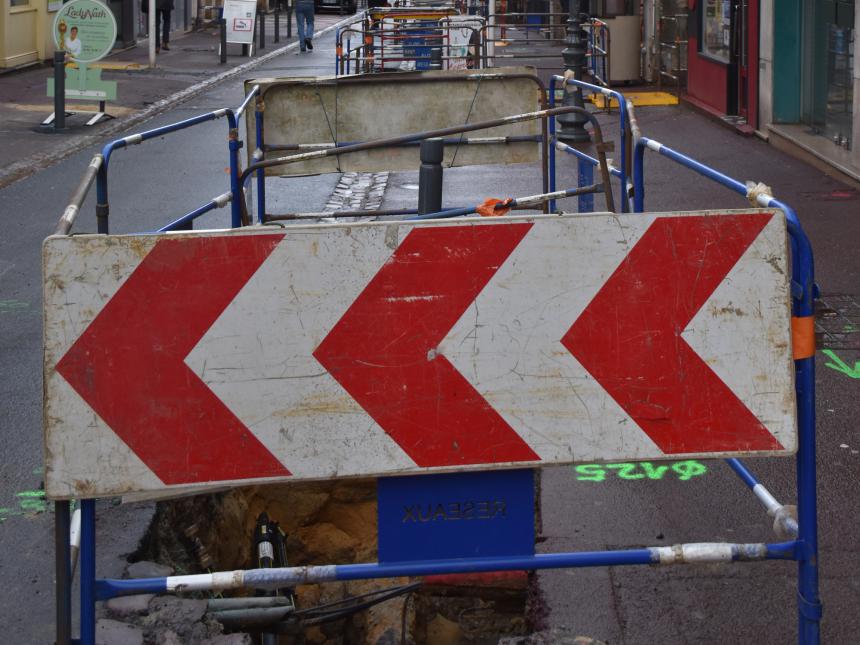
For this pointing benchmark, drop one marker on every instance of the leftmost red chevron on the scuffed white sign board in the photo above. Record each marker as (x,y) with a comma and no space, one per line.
(129,363)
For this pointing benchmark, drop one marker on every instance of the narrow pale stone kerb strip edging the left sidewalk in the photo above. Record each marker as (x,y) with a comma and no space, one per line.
(23,168)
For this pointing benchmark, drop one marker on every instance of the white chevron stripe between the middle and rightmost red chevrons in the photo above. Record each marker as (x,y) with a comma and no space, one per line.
(508,342)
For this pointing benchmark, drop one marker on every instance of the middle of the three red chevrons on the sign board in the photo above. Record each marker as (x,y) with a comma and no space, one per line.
(383,351)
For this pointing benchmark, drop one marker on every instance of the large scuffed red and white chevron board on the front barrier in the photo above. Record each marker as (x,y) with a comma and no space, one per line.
(336,350)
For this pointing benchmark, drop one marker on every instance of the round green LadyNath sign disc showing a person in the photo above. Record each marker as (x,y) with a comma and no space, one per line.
(85,30)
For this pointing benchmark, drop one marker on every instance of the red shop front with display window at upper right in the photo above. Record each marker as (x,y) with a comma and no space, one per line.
(722,59)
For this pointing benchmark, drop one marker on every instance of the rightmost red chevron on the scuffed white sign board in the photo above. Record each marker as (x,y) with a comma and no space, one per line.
(629,336)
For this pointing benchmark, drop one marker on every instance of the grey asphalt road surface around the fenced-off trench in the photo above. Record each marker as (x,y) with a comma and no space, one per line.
(153,183)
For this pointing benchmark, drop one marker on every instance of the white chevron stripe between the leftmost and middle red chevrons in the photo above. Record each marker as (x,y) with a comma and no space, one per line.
(257,357)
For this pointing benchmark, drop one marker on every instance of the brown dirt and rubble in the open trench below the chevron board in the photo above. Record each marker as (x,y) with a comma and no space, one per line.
(325,522)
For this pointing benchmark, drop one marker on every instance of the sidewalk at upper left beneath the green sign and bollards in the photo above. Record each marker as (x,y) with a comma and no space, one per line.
(191,65)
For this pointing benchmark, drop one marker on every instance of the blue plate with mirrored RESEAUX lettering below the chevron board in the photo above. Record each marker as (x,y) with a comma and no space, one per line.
(457,515)
